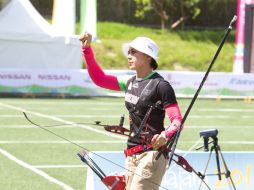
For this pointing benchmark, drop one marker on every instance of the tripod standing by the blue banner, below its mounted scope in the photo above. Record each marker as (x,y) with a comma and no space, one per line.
(219,158)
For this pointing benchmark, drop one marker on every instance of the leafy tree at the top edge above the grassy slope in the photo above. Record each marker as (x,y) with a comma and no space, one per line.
(168,9)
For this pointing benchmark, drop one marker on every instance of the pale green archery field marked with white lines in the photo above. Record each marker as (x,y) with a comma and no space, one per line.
(233,119)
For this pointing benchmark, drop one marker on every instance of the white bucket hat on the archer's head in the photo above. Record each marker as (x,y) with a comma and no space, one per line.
(144,45)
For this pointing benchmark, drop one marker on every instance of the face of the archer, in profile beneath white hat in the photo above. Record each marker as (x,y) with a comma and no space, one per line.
(137,60)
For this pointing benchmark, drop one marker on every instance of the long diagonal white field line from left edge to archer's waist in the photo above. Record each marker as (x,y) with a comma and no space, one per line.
(61,120)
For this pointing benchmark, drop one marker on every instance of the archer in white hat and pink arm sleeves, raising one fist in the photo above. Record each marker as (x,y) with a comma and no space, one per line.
(148,97)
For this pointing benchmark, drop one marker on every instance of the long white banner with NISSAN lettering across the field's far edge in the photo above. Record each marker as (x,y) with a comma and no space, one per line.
(78,83)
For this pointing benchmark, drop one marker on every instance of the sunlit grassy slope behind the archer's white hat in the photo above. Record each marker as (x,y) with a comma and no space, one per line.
(179,50)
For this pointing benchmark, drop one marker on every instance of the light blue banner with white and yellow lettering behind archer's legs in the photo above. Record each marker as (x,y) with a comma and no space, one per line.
(240,164)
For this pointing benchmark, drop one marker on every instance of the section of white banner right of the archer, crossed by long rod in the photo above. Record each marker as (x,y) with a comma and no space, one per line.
(217,84)
